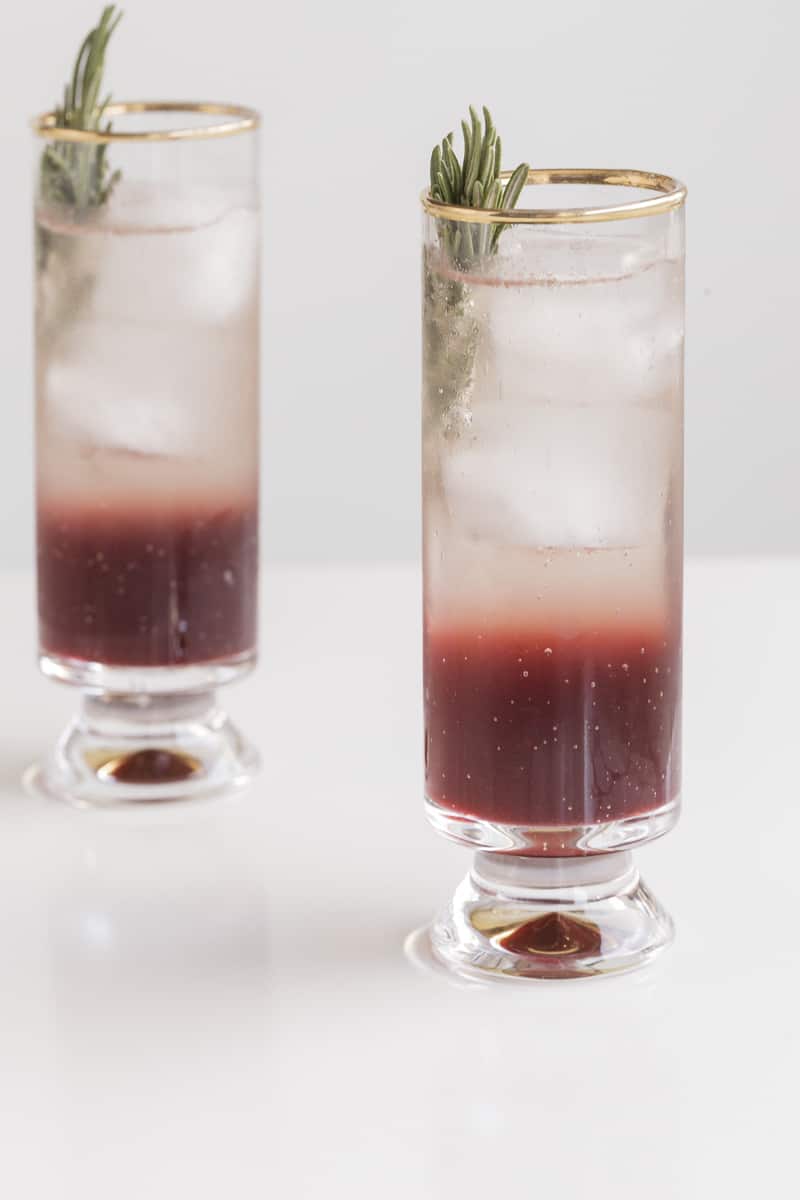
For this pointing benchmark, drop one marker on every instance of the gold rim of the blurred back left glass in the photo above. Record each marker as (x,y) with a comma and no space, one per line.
(240,121)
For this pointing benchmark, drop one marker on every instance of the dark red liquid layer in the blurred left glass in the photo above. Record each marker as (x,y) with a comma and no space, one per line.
(151,591)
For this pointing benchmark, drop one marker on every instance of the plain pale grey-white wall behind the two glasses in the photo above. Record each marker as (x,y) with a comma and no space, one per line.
(354,94)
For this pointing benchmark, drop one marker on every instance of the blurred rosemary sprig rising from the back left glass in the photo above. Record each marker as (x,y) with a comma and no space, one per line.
(74,173)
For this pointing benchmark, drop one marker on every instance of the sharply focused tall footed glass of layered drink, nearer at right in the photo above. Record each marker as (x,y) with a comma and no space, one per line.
(554,562)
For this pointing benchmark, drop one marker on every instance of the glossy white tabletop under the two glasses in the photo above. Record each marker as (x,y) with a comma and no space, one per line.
(219,1004)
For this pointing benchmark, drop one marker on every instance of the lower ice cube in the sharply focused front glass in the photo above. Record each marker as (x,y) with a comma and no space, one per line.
(561,476)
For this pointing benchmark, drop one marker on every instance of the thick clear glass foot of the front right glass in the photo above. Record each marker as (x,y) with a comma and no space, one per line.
(551,919)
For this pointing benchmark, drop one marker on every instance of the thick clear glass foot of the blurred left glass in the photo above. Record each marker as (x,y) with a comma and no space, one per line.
(135,749)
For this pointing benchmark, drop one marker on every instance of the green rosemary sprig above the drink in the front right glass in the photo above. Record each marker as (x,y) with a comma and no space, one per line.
(474,184)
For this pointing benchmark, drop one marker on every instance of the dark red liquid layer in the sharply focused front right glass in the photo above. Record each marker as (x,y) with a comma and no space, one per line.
(537,731)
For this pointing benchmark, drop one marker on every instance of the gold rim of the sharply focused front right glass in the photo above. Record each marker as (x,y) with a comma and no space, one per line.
(672,194)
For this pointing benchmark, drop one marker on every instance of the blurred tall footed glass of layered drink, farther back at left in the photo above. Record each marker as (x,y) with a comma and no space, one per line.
(147,446)
